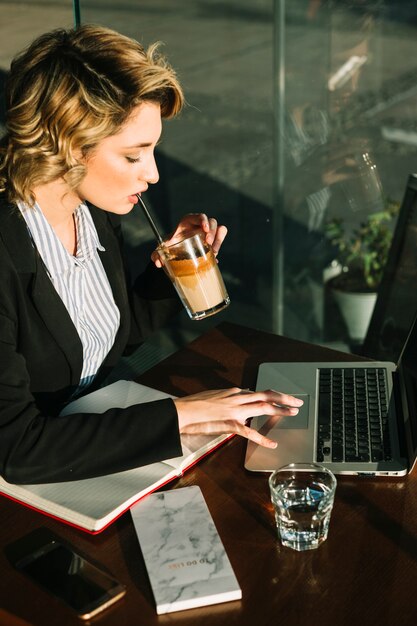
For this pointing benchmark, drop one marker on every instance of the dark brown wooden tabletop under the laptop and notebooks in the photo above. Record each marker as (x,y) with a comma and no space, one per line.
(365,573)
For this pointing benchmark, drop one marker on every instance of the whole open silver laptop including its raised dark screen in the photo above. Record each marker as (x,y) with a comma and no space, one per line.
(360,417)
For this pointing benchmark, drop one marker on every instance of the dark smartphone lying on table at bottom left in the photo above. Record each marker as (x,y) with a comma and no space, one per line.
(53,564)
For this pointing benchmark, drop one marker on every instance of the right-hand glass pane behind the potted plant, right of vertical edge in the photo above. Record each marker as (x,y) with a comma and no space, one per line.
(349,142)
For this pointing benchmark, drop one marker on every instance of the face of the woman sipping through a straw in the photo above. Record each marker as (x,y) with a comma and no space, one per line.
(123,165)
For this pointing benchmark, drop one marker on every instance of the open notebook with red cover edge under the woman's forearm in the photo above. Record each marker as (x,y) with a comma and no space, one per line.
(94,503)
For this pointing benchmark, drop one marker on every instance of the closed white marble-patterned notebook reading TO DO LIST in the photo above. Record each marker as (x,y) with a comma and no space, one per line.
(185,558)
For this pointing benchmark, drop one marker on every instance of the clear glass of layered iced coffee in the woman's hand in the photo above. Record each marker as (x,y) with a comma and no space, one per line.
(193,269)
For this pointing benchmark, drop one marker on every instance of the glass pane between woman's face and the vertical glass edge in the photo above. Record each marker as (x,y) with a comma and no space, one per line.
(217,157)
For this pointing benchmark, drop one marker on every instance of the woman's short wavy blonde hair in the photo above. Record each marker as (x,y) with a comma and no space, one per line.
(69,90)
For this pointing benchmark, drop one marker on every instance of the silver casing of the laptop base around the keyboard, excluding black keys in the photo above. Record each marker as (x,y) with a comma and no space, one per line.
(297,436)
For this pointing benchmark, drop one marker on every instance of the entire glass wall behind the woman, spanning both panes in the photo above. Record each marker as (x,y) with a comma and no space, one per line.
(299,112)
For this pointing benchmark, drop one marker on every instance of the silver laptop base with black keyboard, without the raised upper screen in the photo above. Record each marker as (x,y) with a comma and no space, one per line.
(357,418)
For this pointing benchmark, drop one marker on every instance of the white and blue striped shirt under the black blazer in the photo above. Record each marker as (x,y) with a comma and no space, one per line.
(81,282)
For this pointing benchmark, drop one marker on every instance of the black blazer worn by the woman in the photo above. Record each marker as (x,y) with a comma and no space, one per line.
(41,362)
